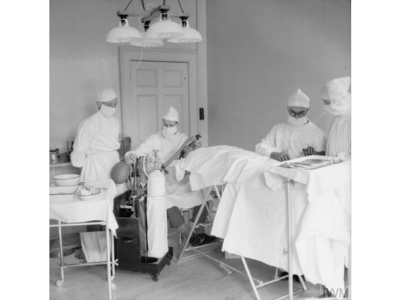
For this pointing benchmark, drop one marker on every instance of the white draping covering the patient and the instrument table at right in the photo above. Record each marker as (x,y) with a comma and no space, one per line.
(252,214)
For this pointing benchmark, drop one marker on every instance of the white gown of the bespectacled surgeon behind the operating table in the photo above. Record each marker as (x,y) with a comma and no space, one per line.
(284,135)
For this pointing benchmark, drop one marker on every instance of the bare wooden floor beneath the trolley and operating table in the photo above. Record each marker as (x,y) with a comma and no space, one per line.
(195,278)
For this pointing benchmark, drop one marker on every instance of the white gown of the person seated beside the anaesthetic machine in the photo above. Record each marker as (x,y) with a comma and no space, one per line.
(177,193)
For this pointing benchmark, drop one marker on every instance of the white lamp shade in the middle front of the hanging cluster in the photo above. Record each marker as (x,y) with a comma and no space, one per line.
(164,29)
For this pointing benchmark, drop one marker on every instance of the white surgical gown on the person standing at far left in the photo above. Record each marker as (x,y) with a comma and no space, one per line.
(95,147)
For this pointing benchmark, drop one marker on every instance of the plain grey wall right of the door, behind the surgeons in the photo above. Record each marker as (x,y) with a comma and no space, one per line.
(260,52)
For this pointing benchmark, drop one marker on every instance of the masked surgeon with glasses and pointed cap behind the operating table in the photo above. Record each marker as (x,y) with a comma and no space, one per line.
(292,139)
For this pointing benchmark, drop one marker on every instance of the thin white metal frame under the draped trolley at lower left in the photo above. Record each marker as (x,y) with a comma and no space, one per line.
(110,270)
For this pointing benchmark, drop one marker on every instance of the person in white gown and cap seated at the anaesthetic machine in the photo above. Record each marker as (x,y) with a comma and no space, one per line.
(178,192)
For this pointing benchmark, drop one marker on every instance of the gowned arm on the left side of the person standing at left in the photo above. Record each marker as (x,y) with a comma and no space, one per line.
(82,143)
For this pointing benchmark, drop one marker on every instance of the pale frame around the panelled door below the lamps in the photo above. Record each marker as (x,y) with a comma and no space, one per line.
(127,54)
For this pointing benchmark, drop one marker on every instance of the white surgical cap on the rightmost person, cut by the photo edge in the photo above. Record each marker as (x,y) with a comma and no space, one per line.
(337,90)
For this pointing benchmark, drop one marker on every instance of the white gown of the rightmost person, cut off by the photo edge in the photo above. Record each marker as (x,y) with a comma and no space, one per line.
(339,139)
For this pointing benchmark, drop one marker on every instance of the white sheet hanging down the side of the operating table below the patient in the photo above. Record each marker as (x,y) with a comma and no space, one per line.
(257,227)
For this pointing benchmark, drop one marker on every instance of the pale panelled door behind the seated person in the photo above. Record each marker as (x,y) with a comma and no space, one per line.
(153,88)
